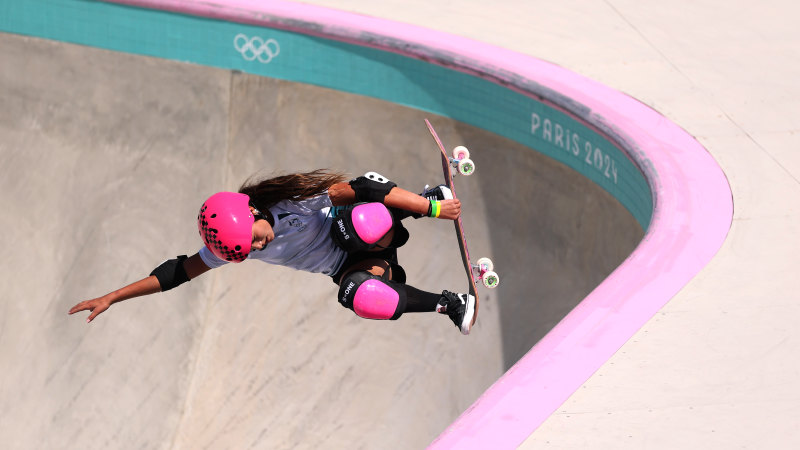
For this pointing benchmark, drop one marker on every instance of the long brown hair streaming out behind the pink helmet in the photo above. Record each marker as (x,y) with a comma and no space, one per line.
(267,192)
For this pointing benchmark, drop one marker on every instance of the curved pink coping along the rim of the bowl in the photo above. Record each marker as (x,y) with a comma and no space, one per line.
(693,211)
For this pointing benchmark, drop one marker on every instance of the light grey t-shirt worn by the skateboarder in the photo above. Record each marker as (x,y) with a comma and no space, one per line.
(302,238)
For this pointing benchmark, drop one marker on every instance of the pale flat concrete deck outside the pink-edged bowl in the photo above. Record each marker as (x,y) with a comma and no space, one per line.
(717,367)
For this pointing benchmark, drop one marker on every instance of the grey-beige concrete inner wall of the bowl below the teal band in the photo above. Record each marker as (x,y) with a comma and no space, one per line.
(106,158)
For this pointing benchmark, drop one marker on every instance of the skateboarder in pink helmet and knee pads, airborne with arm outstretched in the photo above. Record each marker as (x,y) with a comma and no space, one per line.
(317,222)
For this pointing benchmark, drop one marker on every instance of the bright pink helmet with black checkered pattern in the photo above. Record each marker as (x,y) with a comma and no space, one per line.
(226,225)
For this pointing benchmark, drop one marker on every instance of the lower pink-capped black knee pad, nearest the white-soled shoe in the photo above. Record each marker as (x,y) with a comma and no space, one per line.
(372,297)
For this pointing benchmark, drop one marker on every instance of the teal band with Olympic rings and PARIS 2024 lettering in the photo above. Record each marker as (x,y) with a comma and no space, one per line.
(342,66)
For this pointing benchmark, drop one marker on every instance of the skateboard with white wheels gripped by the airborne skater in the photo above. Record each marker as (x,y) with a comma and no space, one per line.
(483,269)
